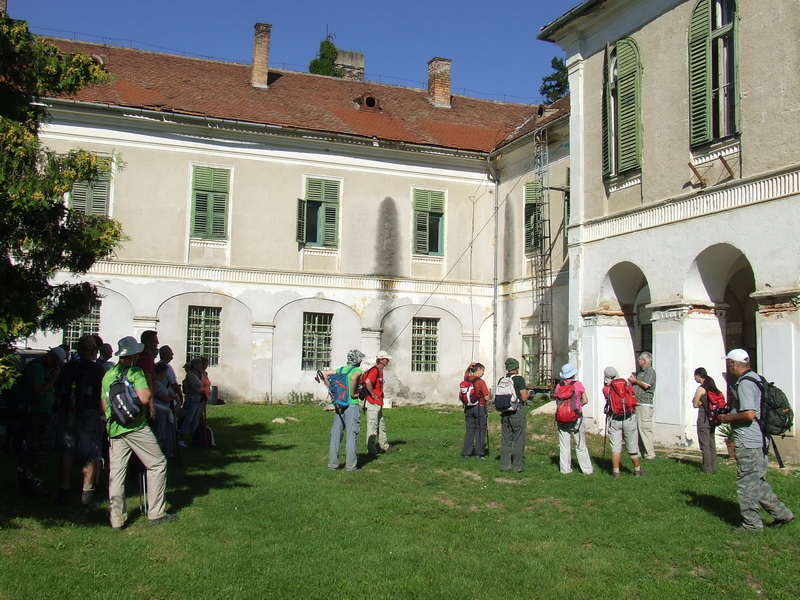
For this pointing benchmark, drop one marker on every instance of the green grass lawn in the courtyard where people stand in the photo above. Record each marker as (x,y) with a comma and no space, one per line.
(262,517)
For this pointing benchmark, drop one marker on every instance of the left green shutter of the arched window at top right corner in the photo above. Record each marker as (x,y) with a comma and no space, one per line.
(700,74)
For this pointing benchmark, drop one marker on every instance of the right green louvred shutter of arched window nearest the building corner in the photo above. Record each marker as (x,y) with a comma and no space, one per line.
(628,106)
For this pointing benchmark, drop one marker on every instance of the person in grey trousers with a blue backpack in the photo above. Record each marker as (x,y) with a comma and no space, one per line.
(347,410)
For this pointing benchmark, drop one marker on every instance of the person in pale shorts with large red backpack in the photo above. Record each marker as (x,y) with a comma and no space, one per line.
(621,414)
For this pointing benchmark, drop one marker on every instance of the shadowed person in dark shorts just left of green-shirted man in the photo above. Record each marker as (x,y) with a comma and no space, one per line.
(79,424)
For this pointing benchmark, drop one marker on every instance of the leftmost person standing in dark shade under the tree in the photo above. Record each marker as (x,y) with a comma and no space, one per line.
(39,380)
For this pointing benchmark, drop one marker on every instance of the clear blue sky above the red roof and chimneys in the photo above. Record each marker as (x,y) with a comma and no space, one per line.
(493,45)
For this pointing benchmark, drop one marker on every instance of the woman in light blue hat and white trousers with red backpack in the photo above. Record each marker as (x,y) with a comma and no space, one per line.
(570,397)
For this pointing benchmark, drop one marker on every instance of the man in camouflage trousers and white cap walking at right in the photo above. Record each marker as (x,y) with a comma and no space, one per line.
(751,459)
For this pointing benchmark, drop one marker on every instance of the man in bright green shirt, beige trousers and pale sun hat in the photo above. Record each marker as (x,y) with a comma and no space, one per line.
(135,437)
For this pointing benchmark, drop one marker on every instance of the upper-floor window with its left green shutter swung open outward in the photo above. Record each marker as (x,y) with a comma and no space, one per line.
(318,214)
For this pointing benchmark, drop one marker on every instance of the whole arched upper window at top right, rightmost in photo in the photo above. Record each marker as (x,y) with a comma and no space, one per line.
(713,98)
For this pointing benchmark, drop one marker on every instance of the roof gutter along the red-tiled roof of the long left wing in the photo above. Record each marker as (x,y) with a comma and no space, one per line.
(287,131)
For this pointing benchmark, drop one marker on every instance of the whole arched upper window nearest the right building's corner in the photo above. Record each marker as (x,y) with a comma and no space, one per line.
(621,107)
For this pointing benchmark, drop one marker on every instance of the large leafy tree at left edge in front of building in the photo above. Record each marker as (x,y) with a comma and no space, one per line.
(39,234)
